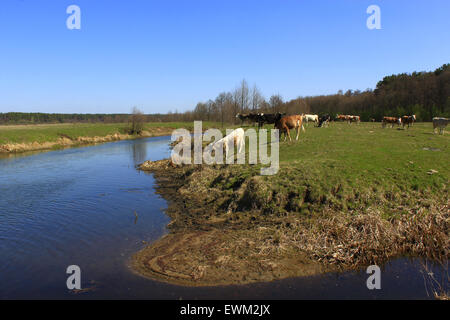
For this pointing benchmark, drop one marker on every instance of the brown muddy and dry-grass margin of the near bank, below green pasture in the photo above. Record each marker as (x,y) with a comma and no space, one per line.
(222,233)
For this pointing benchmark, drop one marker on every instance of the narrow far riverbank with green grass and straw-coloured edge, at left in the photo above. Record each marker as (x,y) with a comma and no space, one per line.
(19,138)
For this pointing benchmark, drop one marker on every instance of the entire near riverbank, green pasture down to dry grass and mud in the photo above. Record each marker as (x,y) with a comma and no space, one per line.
(344,197)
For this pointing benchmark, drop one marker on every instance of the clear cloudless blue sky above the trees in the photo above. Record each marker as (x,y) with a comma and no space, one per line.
(168,55)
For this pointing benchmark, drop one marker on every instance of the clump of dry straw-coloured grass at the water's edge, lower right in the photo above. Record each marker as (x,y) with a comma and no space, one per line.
(363,239)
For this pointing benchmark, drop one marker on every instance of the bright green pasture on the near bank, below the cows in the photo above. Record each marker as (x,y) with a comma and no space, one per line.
(367,158)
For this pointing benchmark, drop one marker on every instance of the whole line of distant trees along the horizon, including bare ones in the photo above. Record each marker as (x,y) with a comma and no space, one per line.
(425,94)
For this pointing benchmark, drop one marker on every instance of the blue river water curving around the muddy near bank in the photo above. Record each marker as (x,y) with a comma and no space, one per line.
(77,207)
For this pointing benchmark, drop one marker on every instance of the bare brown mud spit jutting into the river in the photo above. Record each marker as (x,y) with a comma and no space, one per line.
(209,250)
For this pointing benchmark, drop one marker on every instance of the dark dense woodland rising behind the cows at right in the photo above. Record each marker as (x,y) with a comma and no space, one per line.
(425,94)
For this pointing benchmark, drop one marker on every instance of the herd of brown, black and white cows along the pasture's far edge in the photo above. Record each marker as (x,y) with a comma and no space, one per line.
(285,123)
